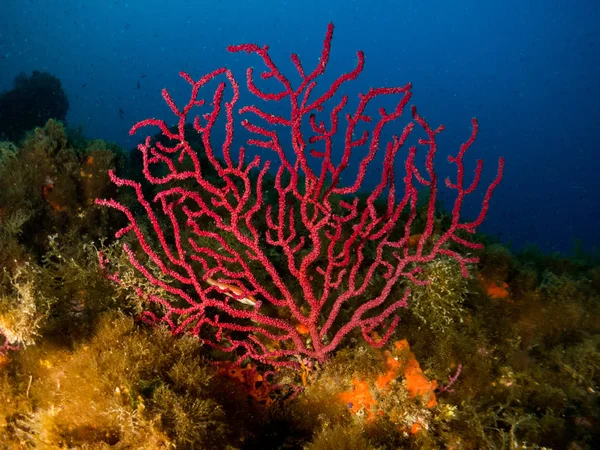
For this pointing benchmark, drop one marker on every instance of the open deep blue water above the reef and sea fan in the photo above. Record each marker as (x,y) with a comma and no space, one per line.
(528,70)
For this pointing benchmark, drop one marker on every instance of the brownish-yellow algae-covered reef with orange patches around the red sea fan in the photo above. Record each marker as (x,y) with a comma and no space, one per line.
(508,358)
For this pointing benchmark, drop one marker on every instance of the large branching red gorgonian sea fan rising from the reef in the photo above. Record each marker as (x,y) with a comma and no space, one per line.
(287,272)
